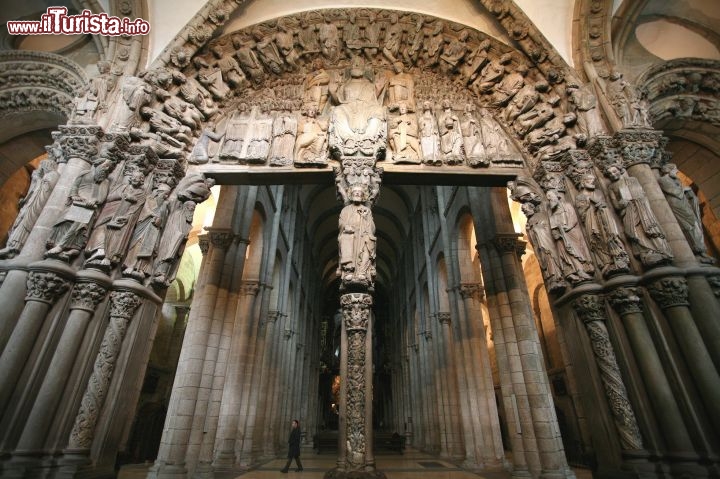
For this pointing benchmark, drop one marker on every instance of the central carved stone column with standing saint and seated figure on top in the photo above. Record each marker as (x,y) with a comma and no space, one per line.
(358,135)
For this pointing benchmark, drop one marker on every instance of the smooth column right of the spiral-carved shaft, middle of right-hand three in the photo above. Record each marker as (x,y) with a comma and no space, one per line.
(628,305)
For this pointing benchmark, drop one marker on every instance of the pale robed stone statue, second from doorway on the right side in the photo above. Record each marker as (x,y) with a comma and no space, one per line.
(573,253)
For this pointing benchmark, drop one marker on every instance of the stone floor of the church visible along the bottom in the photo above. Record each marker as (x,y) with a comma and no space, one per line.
(411,465)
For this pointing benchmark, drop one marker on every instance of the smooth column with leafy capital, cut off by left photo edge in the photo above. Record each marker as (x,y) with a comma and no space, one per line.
(47,281)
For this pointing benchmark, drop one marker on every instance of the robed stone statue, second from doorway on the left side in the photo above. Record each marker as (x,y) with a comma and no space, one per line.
(146,235)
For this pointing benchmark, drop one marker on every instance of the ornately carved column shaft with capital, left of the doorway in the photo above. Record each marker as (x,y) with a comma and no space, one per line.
(123,306)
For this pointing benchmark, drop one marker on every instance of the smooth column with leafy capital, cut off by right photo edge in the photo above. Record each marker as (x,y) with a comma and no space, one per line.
(671,294)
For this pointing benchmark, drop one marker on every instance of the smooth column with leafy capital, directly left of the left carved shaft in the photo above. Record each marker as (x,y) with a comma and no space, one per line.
(90,289)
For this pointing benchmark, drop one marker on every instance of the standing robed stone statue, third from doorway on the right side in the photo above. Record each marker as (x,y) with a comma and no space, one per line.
(600,228)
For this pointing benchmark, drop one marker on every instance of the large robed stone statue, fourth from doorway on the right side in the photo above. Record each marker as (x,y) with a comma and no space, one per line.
(646,237)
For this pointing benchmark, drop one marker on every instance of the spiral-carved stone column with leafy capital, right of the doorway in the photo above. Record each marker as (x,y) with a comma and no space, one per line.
(591,310)
